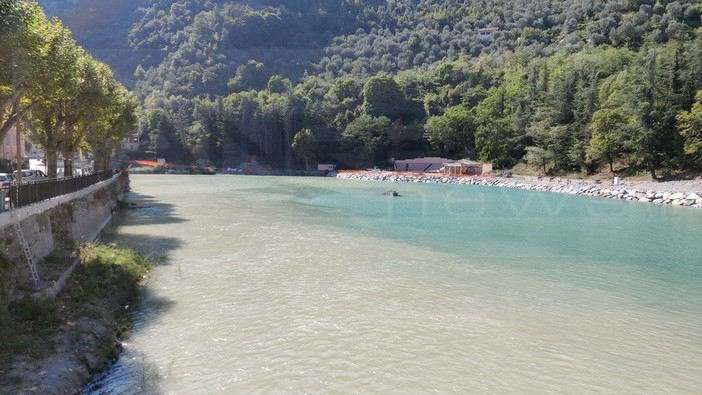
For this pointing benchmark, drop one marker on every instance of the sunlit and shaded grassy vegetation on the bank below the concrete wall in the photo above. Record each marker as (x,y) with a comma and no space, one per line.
(107,280)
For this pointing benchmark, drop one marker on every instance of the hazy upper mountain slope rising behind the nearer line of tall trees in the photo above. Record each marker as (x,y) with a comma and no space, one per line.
(203,42)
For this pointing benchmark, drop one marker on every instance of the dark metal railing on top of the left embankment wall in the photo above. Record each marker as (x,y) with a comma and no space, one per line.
(36,191)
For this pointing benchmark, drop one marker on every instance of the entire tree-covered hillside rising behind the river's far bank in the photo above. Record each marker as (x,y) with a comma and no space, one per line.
(564,86)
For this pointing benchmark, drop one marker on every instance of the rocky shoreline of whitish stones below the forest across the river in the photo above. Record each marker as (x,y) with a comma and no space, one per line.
(676,193)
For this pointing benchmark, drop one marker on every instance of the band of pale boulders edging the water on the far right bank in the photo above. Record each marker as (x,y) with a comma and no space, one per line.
(629,192)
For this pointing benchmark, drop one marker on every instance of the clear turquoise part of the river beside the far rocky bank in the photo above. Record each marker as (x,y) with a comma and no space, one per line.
(552,236)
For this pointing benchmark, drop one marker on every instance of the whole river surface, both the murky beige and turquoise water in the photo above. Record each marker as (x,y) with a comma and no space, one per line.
(297,285)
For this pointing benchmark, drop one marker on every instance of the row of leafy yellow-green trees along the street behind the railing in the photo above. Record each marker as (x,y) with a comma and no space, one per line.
(51,85)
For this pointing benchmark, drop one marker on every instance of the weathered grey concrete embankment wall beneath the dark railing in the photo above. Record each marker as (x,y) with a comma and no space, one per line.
(79,216)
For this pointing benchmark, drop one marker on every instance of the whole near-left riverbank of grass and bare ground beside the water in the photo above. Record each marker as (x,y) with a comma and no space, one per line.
(56,346)
